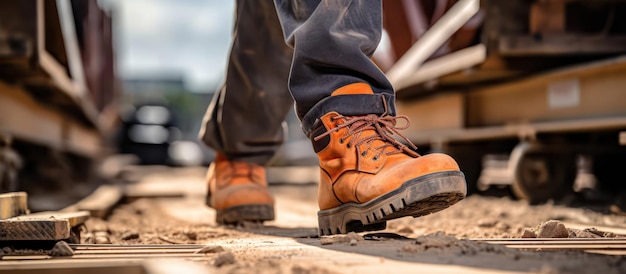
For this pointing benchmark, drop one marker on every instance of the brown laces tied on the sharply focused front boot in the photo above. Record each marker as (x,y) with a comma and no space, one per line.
(385,127)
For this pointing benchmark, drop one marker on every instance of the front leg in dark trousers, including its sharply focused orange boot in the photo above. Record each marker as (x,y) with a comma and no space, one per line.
(347,109)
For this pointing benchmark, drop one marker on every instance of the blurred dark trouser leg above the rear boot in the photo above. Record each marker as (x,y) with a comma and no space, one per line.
(244,119)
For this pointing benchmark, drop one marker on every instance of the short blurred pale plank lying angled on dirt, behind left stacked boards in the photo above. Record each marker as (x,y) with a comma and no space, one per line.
(101,201)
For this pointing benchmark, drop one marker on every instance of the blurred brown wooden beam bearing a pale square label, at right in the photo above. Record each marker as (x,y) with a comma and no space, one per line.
(593,92)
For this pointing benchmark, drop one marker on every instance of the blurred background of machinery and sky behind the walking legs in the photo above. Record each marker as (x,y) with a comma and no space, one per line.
(526,94)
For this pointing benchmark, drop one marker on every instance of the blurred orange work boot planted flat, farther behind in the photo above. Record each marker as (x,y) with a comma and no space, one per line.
(238,192)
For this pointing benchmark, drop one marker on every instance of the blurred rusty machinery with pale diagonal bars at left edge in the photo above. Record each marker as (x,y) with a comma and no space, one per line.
(58,91)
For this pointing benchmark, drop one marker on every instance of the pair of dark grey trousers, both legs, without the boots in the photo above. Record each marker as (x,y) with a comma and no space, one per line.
(332,43)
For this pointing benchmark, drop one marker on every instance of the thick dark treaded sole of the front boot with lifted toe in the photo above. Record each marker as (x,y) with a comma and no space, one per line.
(417,197)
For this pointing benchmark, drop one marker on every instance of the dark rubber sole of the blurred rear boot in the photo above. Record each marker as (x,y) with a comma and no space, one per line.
(245,213)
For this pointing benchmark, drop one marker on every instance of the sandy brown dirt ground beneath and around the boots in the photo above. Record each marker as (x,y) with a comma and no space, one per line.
(438,243)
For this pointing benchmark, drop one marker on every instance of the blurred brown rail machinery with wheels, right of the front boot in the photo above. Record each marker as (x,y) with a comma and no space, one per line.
(526,94)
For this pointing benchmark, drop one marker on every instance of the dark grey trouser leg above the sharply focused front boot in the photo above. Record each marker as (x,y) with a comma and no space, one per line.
(333,42)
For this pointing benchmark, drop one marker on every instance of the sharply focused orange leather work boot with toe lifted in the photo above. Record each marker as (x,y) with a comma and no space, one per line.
(369,177)
